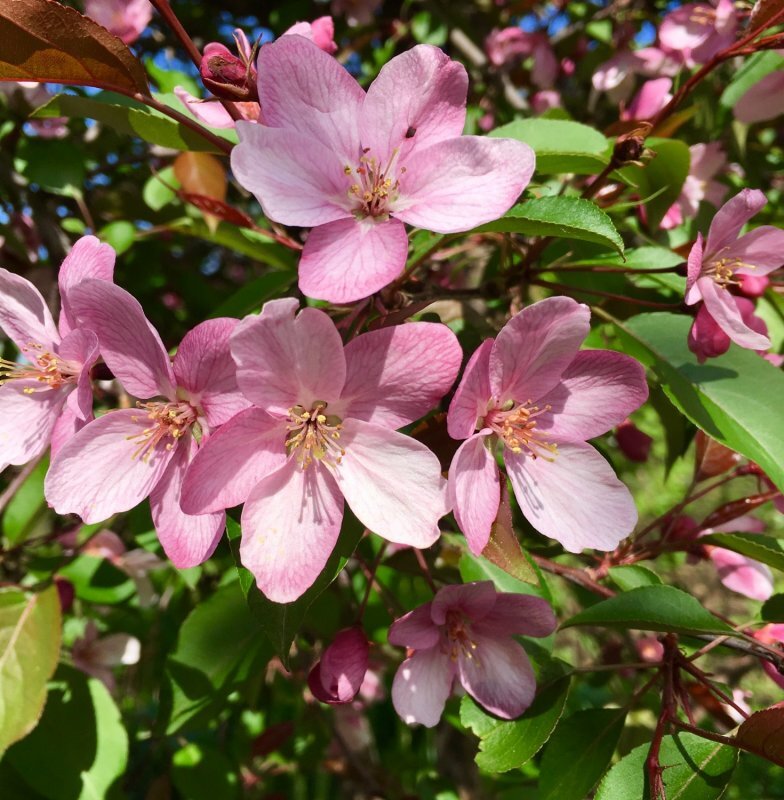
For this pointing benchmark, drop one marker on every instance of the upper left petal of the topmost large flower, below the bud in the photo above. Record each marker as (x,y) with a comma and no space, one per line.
(303,89)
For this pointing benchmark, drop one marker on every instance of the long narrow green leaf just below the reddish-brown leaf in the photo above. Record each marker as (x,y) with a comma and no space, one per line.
(129,118)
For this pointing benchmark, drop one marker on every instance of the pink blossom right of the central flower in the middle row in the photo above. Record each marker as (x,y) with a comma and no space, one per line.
(532,392)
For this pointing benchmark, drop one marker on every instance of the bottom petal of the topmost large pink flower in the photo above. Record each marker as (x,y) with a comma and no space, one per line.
(351,259)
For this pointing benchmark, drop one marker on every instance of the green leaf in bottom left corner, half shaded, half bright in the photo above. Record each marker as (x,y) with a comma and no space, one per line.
(83,738)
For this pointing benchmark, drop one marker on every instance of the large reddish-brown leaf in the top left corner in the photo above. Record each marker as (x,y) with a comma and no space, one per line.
(45,41)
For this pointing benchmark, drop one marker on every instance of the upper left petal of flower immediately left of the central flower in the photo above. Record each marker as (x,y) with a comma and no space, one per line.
(130,346)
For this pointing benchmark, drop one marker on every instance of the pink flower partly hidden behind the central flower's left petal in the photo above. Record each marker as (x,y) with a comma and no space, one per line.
(113,463)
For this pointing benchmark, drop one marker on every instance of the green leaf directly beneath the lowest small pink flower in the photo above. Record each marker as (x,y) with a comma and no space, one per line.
(505,745)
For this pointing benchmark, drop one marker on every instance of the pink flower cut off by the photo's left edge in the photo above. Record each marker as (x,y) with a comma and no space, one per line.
(48,397)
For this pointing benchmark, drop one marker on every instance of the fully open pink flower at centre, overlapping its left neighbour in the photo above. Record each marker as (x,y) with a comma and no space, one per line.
(323,429)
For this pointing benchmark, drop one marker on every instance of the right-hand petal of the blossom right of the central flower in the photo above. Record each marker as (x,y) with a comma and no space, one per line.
(598,390)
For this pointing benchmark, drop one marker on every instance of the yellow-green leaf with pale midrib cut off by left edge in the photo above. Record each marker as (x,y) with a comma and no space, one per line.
(29,649)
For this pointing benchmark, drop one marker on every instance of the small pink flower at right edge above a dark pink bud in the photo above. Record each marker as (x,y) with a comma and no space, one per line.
(713,265)
